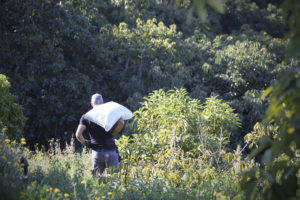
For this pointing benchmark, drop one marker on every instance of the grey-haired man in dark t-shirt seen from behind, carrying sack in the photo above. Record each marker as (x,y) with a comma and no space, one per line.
(104,150)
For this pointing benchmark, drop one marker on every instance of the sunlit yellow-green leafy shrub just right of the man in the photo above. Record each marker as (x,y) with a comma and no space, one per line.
(172,119)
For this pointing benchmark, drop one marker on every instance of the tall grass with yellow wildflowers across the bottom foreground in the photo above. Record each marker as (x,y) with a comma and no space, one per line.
(66,174)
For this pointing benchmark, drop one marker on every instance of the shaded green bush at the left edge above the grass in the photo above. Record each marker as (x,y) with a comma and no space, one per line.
(12,119)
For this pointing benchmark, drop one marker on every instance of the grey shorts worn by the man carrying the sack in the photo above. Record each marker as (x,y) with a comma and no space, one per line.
(103,159)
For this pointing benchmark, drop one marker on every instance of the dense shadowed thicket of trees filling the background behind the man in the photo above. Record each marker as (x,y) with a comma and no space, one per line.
(58,53)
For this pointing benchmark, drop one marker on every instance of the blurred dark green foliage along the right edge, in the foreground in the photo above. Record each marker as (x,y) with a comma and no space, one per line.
(278,177)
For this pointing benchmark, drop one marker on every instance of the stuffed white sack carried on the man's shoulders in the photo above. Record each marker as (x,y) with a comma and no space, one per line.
(107,114)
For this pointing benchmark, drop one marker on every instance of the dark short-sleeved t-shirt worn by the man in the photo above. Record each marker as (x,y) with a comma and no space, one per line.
(99,137)
